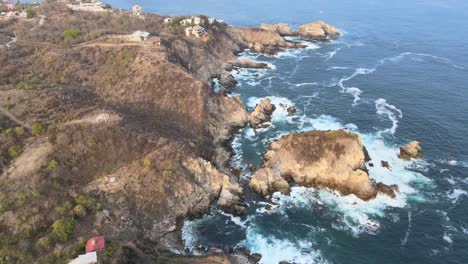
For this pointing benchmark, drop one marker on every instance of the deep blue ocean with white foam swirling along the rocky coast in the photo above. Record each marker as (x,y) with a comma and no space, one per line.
(398,73)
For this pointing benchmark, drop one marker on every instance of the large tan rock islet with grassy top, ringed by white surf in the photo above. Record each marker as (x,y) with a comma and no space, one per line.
(331,159)
